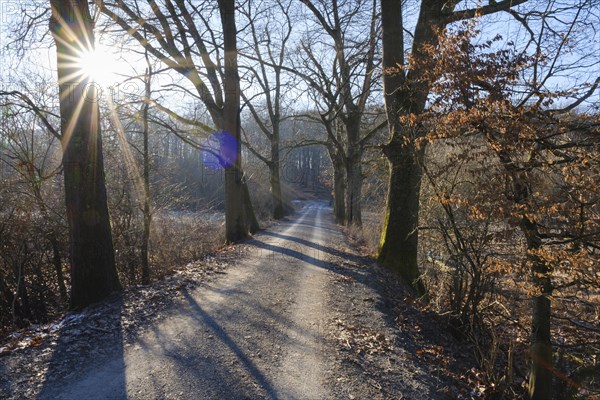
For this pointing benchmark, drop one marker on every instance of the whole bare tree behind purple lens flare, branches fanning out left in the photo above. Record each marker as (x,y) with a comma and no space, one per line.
(209,63)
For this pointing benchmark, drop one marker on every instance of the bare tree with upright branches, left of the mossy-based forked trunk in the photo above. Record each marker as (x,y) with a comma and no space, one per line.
(345,84)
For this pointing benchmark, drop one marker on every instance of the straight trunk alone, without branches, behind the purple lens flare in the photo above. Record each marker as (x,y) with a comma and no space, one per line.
(239,214)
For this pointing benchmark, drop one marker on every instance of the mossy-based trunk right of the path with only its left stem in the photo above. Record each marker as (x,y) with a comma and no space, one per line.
(399,241)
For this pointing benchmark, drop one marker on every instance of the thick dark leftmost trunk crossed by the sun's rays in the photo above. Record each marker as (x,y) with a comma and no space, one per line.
(93,271)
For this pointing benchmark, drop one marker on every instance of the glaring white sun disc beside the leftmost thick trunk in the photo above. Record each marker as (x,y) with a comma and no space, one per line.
(99,65)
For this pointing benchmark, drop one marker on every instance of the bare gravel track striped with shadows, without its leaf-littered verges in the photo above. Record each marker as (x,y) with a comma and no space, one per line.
(254,333)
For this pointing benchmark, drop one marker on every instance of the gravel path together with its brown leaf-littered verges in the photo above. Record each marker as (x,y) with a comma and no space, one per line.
(292,313)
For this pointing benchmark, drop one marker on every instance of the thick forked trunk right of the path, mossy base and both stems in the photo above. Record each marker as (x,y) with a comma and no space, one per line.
(405,93)
